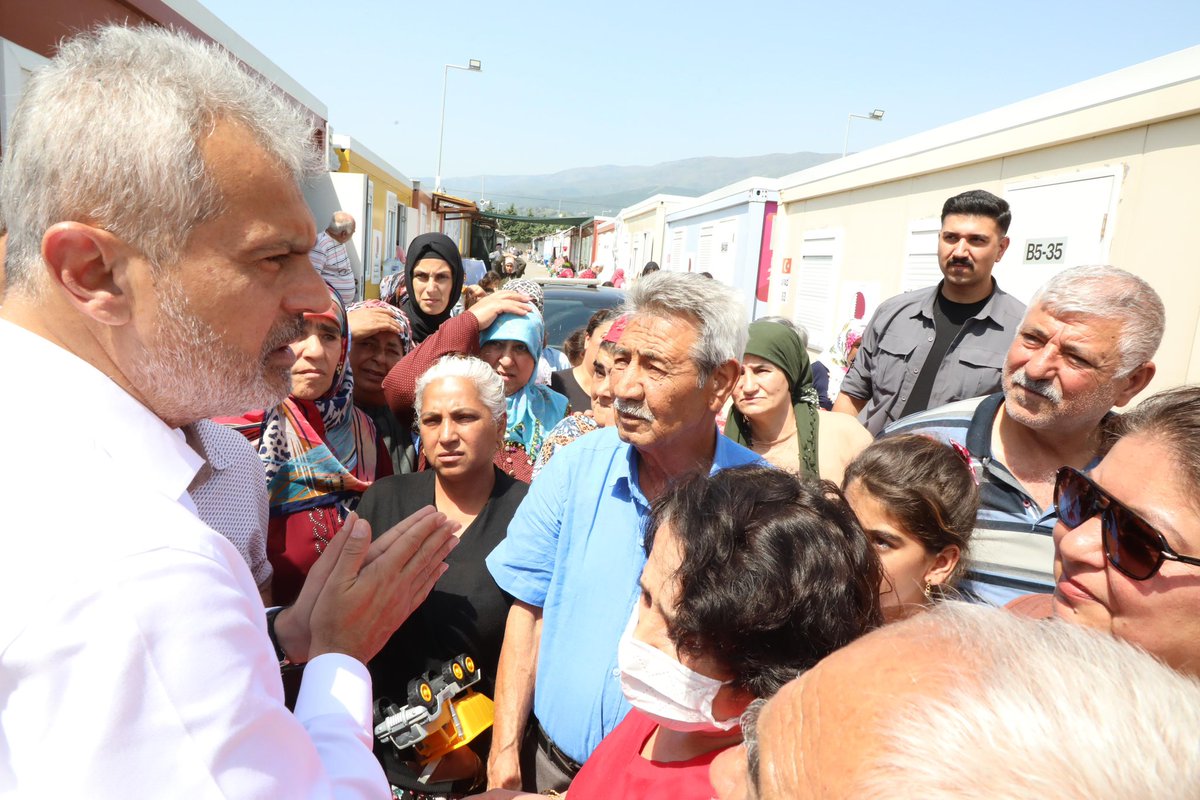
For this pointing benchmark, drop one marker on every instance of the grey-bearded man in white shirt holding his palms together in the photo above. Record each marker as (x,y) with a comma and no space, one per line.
(145,294)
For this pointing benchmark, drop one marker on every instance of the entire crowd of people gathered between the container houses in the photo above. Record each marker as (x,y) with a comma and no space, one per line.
(695,563)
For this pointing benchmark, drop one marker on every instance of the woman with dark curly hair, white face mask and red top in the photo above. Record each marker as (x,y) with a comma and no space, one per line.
(753,578)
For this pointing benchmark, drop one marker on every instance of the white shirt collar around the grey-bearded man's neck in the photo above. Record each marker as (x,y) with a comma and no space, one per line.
(154,455)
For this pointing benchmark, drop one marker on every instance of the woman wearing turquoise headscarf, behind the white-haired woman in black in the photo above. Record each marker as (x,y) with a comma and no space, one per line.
(512,346)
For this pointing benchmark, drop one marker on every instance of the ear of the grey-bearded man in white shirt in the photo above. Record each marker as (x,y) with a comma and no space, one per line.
(91,266)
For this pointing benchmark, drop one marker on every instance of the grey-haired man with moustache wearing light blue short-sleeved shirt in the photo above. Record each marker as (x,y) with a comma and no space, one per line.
(573,557)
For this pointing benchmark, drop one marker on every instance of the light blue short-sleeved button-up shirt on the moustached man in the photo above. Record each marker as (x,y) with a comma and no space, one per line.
(575,550)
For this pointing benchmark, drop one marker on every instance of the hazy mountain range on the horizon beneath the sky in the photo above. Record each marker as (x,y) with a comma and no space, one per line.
(605,190)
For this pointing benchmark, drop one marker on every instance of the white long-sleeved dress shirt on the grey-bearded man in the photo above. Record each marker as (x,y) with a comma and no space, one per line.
(134,652)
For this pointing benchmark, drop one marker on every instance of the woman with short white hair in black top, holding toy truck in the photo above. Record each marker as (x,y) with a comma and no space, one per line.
(460,416)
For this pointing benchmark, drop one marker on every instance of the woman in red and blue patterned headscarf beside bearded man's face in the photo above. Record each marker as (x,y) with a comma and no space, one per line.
(320,452)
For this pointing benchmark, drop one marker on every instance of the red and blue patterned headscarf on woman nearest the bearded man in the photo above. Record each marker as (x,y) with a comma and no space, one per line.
(316,453)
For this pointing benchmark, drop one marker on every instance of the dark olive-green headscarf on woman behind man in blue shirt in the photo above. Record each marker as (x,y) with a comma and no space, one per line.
(782,346)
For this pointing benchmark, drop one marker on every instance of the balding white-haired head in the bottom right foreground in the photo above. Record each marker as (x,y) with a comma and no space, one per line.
(973,702)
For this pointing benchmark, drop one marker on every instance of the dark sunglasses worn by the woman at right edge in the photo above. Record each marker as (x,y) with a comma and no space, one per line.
(1131,544)
